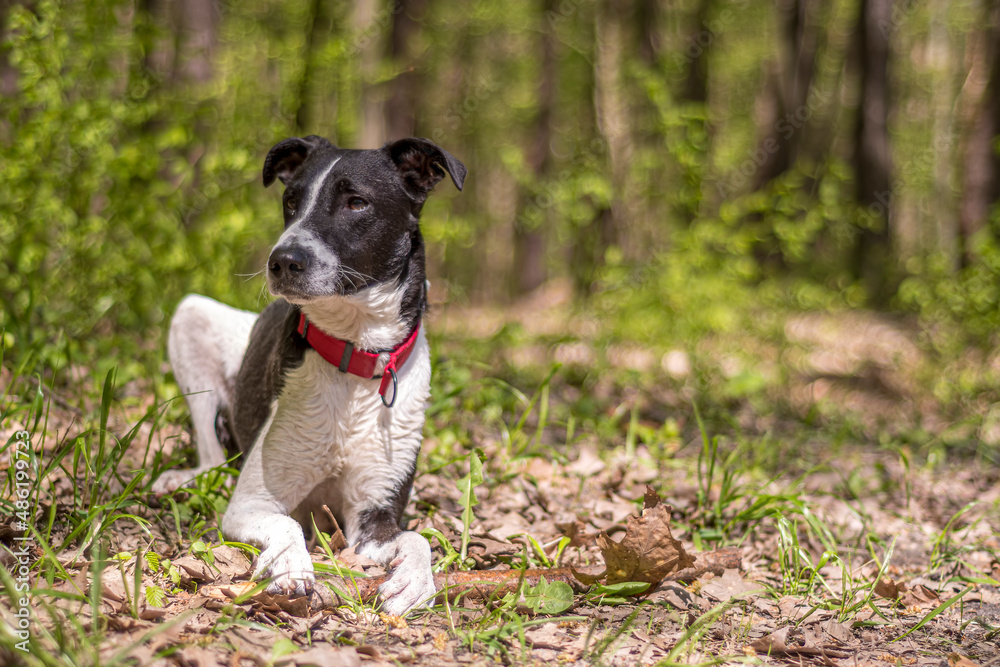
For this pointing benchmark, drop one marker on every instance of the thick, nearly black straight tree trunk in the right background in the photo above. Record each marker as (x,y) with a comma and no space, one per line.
(872,151)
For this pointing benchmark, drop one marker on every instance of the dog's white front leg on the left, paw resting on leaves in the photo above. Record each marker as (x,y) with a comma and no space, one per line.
(259,510)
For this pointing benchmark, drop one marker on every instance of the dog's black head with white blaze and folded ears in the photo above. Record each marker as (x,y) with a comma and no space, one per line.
(351,216)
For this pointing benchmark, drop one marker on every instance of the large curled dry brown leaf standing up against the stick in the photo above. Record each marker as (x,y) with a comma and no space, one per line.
(648,552)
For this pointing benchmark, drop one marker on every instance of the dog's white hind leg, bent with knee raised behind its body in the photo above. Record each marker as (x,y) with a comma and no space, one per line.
(206,343)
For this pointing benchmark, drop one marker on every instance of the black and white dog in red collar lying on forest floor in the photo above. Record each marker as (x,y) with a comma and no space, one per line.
(324,392)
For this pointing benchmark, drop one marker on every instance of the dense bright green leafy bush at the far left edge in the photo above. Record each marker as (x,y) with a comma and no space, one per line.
(85,209)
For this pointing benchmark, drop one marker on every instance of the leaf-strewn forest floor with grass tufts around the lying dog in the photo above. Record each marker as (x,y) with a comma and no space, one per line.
(851,548)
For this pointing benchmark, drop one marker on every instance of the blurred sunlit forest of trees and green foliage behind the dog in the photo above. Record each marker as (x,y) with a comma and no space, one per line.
(813,173)
